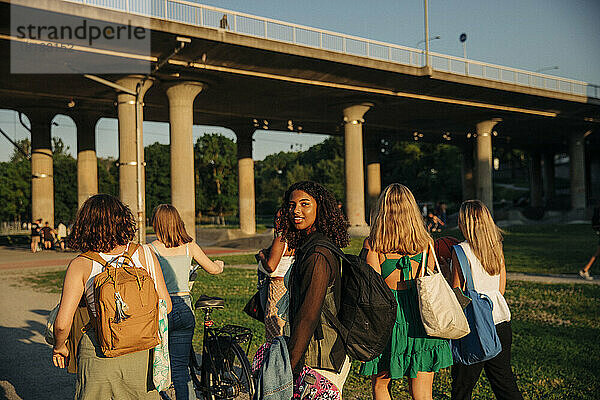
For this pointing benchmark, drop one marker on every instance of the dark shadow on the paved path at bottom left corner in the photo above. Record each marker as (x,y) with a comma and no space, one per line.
(26,364)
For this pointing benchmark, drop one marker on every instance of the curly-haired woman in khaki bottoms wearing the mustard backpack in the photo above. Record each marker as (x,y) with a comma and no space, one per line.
(106,226)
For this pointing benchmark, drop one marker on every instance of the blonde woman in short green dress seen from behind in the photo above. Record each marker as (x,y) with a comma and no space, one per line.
(397,243)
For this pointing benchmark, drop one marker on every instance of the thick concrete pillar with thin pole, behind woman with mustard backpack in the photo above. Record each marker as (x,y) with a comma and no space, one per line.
(128,147)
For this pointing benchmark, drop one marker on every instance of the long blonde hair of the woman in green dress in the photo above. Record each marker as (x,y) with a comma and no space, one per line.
(397,225)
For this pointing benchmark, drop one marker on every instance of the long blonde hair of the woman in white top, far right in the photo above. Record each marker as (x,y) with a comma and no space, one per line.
(478,227)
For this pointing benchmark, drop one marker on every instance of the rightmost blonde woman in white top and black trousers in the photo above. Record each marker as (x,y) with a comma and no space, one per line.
(483,248)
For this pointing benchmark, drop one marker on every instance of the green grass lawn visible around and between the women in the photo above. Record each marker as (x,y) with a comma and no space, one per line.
(556,352)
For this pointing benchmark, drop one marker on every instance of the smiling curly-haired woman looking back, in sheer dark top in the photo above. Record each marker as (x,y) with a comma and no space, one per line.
(313,217)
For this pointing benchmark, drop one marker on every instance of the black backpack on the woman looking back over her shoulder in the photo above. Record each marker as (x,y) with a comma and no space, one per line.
(367,311)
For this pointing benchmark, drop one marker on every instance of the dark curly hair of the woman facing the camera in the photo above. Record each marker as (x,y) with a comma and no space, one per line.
(330,220)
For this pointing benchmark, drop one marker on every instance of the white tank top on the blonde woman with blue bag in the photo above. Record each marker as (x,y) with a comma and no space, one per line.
(488,285)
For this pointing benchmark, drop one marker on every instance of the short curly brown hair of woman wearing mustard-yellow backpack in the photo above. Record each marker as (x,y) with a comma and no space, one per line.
(102,223)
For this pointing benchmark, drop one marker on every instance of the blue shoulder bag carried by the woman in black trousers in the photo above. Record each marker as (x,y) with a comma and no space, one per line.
(482,343)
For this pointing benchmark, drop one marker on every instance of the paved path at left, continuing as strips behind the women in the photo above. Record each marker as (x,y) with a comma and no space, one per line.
(25,364)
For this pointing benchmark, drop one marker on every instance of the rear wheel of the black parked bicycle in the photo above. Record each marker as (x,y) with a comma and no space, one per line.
(226,371)
